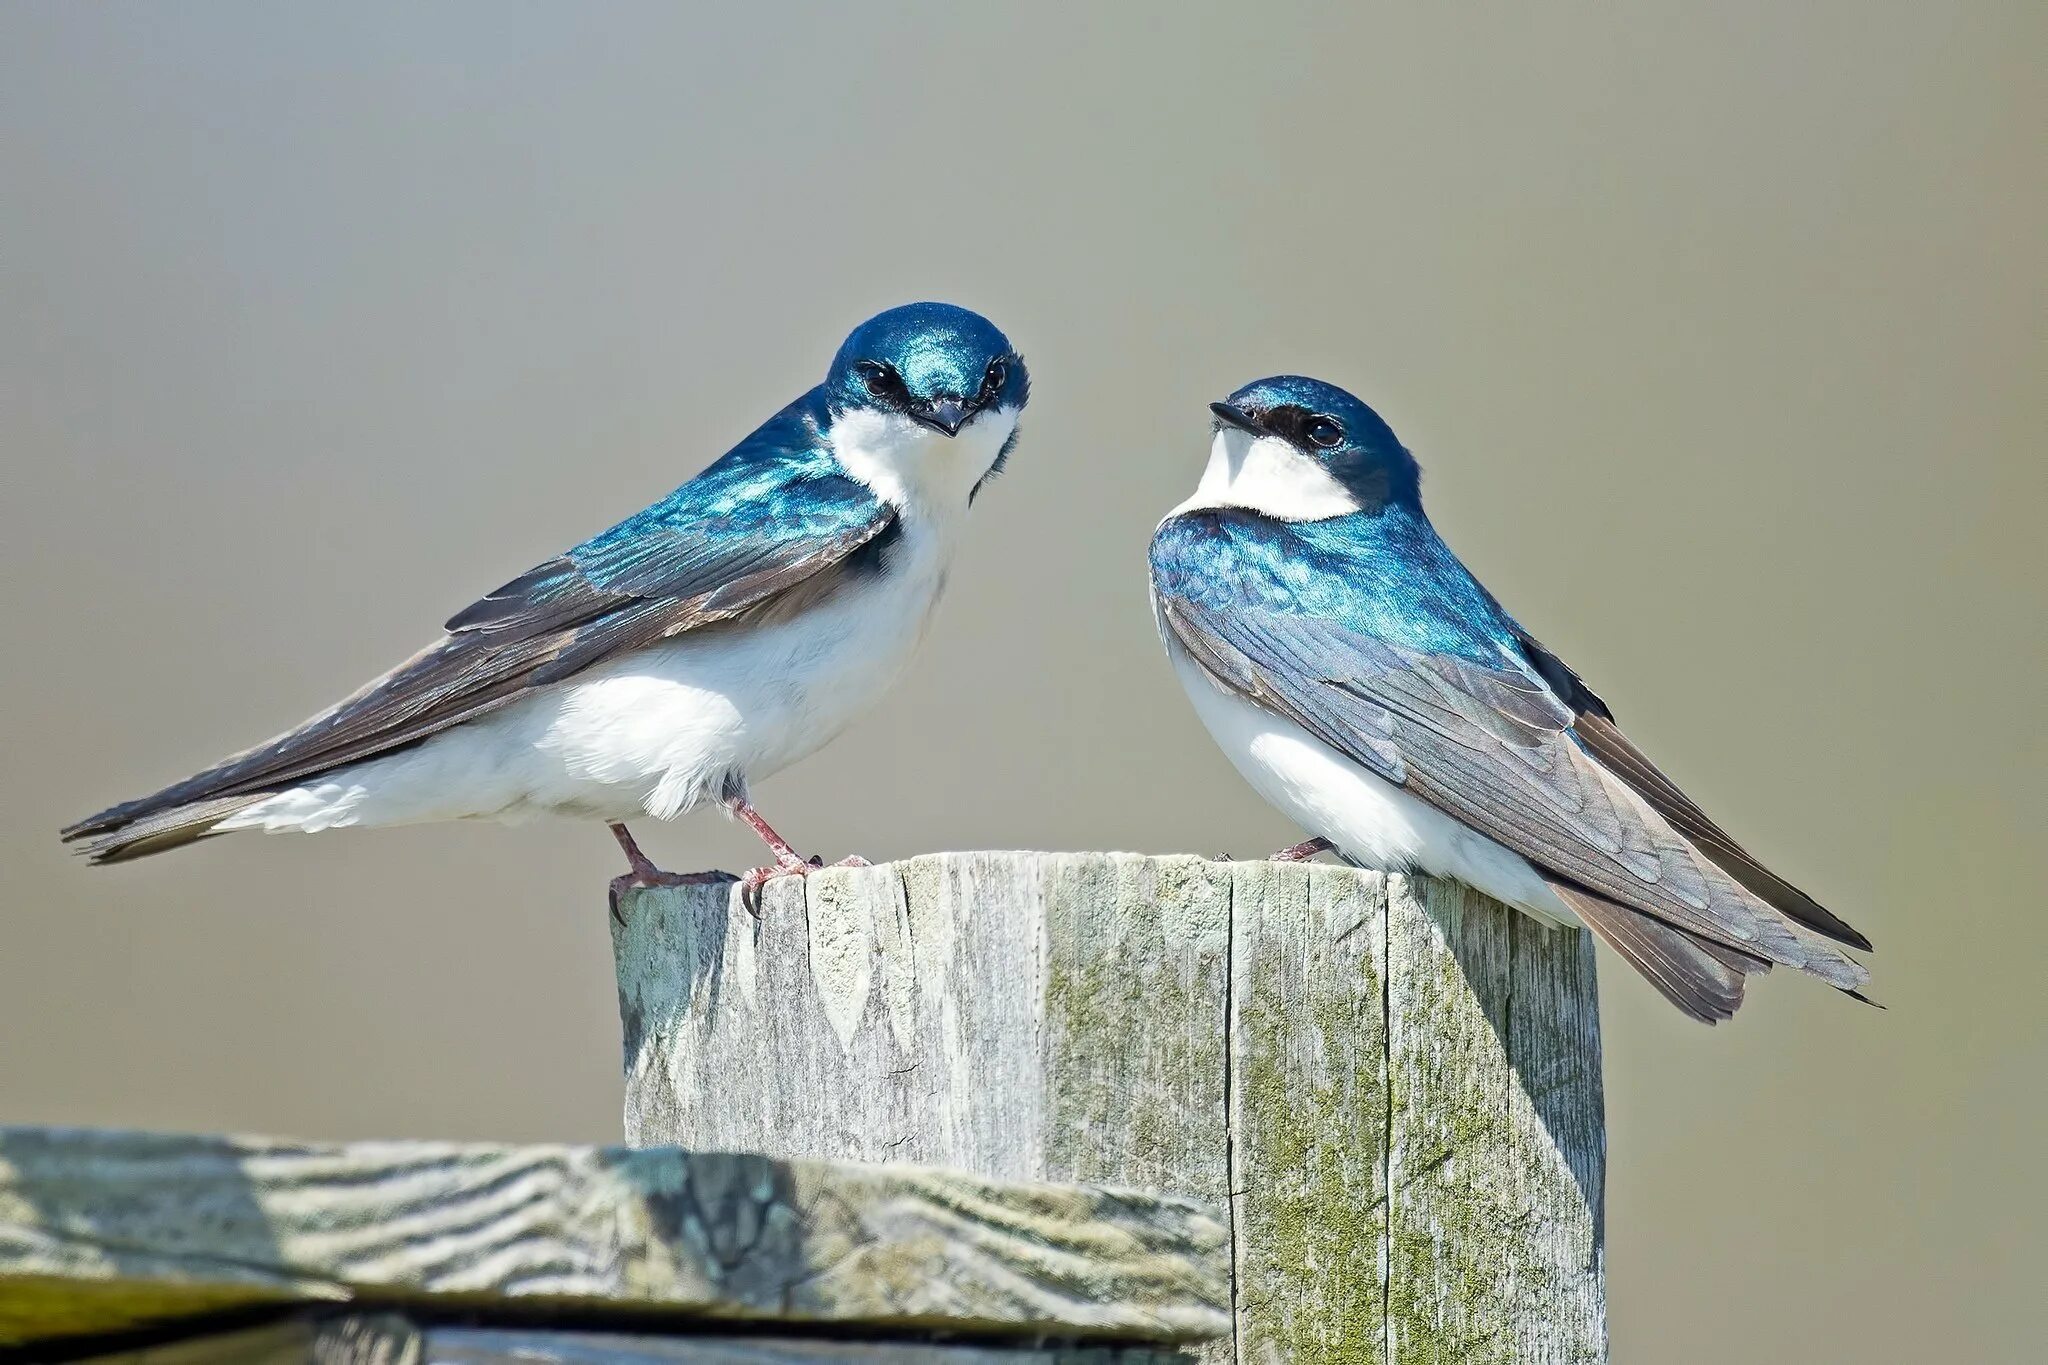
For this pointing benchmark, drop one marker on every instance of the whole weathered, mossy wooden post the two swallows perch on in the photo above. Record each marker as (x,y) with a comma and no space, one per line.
(1392,1084)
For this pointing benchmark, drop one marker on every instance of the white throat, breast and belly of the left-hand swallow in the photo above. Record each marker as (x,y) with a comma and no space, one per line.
(697,717)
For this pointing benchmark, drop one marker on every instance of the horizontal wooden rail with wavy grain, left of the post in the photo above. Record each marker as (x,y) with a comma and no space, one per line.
(105,1231)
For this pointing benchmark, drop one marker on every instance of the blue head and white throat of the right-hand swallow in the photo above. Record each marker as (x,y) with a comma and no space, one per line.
(1318,445)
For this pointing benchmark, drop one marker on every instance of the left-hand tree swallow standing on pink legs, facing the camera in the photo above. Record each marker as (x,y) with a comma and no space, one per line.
(716,637)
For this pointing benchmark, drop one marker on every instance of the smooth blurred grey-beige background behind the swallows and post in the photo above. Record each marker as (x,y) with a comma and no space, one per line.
(1719,333)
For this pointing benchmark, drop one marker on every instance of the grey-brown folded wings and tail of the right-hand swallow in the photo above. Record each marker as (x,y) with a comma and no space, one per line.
(1500,750)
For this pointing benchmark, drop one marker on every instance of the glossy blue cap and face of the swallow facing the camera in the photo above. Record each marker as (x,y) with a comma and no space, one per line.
(933,363)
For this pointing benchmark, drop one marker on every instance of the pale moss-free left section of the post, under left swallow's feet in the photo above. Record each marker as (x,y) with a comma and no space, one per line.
(851,1020)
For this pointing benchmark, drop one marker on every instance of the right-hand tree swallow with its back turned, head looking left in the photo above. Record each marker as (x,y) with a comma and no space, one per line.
(1367,687)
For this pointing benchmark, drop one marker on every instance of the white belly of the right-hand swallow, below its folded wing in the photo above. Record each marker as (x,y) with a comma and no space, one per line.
(1369,820)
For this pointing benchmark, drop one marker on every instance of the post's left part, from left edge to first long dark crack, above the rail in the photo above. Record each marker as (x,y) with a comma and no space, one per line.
(916,1012)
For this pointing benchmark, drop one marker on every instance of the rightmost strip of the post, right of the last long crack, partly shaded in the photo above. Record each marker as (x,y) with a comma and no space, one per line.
(1492,1249)
